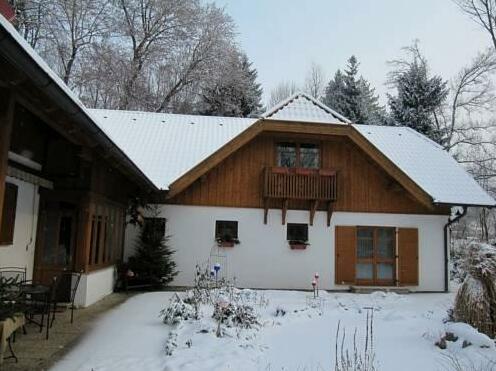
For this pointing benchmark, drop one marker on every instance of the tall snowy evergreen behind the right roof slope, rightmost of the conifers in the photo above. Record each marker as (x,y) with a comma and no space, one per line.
(418,96)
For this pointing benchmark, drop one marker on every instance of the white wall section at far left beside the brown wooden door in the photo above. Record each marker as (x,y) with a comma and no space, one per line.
(21,252)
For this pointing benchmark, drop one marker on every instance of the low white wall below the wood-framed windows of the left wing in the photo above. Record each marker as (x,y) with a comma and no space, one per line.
(95,286)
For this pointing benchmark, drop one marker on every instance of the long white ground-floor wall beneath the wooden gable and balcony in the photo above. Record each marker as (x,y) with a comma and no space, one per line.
(263,258)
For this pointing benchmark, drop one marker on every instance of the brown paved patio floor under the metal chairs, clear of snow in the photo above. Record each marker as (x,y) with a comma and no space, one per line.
(36,353)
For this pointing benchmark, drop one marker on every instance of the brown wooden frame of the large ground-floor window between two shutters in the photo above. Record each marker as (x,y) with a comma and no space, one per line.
(376,259)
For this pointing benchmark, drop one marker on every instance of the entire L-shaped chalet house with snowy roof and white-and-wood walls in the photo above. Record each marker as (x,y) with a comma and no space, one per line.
(271,199)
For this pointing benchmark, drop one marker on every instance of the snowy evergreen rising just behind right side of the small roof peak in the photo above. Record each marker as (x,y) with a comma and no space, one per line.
(353,97)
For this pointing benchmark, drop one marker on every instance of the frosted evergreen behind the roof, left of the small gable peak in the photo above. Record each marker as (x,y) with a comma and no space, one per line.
(237,93)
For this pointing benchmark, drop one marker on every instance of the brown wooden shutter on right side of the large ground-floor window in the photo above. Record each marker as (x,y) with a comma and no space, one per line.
(408,256)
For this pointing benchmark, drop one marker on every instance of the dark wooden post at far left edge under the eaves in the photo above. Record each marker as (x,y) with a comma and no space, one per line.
(7,104)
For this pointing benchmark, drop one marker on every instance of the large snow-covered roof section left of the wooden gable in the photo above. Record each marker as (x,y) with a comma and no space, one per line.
(166,146)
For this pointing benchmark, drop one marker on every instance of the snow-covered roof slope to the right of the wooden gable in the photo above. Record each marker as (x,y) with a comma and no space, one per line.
(427,164)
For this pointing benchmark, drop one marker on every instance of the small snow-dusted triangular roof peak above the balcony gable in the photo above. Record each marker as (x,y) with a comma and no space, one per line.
(301,107)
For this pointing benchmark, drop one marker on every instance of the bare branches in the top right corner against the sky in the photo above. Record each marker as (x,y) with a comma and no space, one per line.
(483,12)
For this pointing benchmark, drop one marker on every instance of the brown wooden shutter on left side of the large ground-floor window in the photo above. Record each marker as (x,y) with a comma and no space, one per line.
(345,250)
